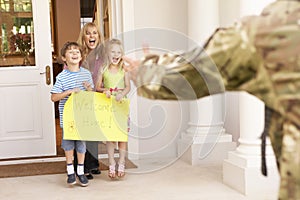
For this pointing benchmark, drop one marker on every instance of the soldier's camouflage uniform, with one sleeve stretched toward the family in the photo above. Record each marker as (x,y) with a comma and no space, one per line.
(260,55)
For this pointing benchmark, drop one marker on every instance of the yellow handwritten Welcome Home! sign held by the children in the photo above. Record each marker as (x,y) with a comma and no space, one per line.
(91,116)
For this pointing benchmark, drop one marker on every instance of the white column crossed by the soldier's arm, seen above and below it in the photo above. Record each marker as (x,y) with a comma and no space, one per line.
(205,140)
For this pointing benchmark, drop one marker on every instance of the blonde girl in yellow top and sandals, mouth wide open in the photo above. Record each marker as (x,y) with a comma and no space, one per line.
(115,81)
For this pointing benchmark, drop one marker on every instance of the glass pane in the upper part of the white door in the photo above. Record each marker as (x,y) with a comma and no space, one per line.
(17,33)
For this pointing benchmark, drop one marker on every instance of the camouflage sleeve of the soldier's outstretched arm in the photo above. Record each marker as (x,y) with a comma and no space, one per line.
(225,62)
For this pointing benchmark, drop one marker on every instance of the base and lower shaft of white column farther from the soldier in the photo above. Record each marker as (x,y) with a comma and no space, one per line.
(205,141)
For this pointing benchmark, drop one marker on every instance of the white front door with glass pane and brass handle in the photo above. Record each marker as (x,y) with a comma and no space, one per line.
(27,126)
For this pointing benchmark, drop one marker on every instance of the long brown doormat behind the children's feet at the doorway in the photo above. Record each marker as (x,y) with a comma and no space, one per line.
(43,168)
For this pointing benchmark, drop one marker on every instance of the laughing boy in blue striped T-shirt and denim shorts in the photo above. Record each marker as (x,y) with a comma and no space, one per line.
(72,79)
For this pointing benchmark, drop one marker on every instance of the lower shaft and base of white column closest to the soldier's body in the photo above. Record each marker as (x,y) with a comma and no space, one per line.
(242,169)
